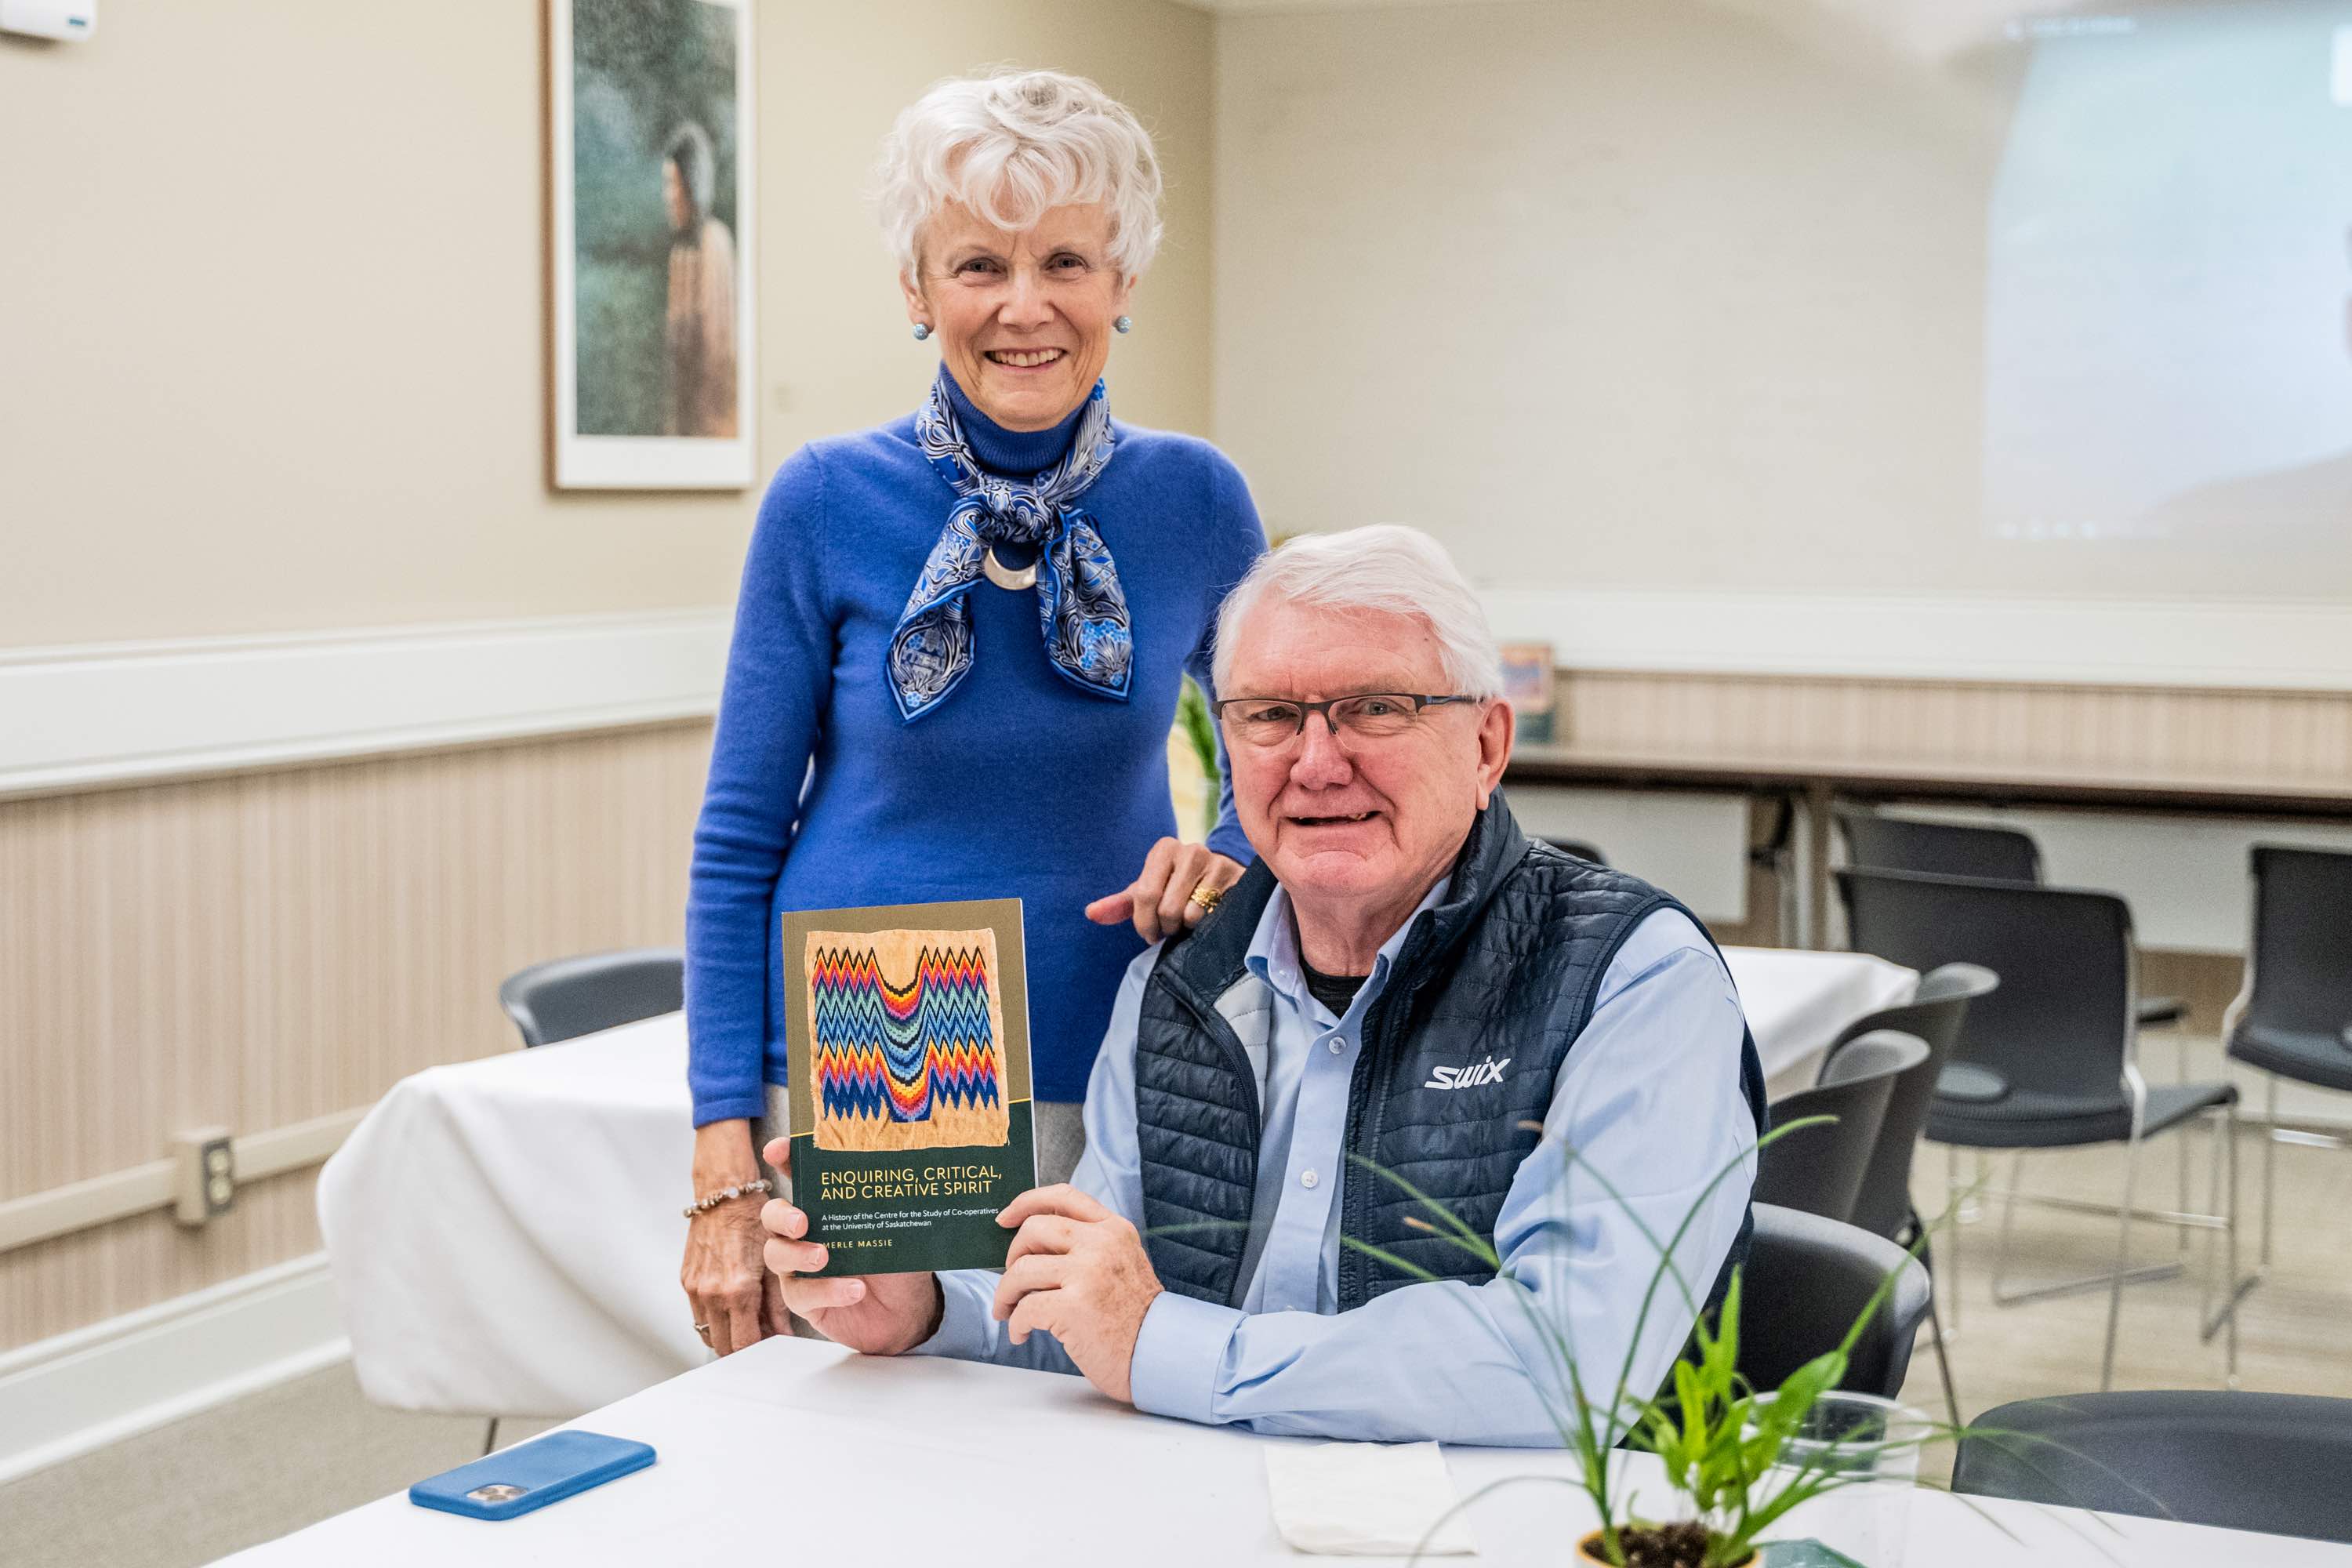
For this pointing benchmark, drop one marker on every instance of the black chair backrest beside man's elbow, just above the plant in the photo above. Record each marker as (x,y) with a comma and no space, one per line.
(1805,1285)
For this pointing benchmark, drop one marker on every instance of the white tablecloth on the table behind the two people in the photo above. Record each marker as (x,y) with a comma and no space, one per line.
(507,1233)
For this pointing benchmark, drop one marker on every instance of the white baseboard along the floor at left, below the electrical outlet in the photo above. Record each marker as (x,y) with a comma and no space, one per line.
(112,1381)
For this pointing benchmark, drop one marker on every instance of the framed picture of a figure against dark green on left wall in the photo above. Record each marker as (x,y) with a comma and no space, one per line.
(650,243)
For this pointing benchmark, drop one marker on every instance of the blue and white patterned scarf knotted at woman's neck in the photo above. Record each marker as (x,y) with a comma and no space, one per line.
(1081,605)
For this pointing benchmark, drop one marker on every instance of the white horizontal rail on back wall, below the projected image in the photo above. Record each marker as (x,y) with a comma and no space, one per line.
(1944,638)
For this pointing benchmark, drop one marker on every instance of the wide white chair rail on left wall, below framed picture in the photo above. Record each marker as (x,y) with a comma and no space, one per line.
(138,711)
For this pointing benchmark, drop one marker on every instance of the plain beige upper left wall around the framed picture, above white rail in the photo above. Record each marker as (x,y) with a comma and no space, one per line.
(272,304)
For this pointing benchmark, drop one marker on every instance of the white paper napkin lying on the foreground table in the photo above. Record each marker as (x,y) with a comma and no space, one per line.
(1365,1499)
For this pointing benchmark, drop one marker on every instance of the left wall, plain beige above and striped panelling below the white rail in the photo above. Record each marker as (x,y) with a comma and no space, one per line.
(272,359)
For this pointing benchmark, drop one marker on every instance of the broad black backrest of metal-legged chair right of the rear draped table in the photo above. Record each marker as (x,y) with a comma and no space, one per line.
(2062,1021)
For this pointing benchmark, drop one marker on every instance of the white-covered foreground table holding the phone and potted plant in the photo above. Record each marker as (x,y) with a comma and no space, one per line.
(799,1452)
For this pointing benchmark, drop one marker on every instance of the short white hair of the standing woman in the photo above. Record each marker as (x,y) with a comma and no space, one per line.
(1015,145)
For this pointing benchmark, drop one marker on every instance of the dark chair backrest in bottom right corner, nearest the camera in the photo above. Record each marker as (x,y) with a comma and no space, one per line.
(2238,1461)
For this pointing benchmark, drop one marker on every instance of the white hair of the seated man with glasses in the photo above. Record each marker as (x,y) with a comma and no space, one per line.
(1387,568)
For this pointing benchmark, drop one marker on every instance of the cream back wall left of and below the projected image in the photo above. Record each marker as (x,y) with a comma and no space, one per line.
(1631,295)
